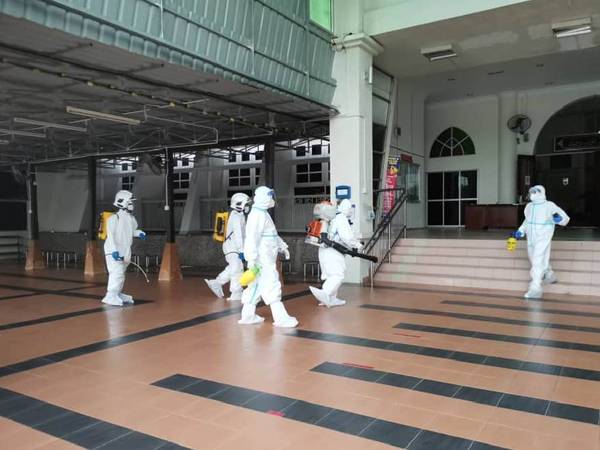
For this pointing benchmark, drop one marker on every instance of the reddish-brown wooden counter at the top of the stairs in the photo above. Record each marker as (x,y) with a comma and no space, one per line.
(481,217)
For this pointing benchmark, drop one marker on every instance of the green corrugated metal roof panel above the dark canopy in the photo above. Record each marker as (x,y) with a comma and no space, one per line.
(270,44)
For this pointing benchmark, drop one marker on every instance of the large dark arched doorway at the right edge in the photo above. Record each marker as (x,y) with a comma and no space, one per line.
(567,154)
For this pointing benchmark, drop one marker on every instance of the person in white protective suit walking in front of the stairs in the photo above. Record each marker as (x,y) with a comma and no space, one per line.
(541,216)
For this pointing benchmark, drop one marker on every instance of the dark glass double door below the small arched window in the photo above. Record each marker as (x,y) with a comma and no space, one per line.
(448,194)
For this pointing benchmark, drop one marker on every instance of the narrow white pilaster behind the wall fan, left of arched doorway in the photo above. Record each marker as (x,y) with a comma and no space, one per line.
(507,149)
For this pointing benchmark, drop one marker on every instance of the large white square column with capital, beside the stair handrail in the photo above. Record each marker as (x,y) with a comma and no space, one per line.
(351,147)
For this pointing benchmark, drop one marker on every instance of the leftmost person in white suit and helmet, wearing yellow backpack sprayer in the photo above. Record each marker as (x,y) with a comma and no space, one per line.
(120,230)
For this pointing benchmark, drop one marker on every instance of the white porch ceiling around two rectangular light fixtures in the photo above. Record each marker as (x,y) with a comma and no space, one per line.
(516,40)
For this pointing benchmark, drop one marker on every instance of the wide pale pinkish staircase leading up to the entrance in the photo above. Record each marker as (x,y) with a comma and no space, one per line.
(486,264)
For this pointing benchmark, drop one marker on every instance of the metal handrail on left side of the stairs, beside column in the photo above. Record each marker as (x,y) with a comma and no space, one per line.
(386,235)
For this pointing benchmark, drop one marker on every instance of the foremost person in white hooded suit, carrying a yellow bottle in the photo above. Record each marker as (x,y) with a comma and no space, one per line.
(261,248)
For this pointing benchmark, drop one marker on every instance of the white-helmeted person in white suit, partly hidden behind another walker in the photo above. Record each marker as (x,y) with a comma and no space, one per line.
(233,248)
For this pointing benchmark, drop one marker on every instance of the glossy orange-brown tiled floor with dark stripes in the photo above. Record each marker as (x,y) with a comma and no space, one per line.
(415,369)
